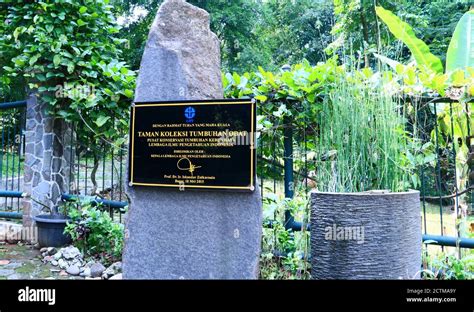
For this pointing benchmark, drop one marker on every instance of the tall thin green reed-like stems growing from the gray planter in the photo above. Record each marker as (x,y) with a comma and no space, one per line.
(362,143)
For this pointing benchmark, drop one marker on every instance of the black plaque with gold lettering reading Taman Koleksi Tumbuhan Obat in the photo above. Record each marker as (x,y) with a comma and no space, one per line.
(193,144)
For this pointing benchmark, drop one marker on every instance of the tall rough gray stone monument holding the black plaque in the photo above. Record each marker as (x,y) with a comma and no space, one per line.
(190,234)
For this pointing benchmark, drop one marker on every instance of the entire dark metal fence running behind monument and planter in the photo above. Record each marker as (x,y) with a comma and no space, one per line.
(98,168)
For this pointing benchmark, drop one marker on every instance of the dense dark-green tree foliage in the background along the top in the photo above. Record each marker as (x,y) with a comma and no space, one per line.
(273,32)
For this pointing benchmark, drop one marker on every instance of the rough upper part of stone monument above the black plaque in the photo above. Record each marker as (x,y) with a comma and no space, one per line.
(182,56)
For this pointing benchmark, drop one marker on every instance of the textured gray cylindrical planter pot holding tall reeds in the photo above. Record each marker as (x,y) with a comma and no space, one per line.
(371,235)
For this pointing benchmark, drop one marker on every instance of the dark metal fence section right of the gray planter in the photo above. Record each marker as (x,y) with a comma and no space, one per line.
(446,187)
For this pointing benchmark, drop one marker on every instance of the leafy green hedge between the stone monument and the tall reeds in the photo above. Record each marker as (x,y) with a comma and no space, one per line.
(287,99)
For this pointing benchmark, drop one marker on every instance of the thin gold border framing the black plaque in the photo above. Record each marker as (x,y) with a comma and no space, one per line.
(251,187)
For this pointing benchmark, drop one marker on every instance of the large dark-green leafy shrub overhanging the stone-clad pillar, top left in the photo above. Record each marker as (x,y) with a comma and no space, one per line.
(49,45)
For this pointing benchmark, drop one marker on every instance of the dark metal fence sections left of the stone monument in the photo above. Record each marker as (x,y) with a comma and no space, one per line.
(97,167)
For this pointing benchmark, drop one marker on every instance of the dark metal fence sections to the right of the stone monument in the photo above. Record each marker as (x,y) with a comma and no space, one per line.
(443,201)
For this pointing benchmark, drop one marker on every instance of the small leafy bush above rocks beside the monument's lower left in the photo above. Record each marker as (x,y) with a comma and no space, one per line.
(94,232)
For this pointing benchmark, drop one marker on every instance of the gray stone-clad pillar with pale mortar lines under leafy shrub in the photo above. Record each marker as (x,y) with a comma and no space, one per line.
(47,154)
